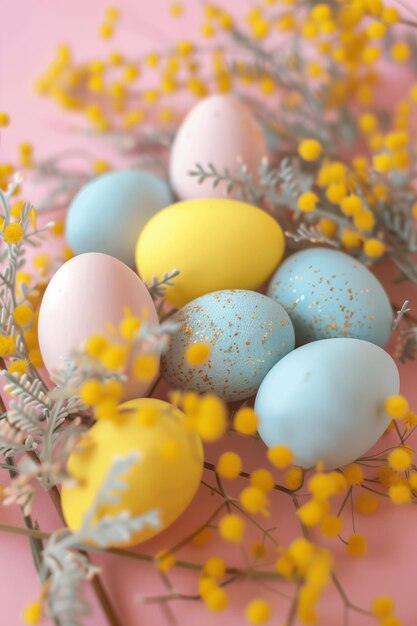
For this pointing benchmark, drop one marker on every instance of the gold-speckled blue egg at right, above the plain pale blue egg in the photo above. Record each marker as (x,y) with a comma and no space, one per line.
(330,294)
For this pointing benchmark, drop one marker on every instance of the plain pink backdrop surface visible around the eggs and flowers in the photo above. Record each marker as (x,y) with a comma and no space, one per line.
(30,31)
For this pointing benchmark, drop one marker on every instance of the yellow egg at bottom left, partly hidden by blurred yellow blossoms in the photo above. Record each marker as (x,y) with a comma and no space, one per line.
(165,477)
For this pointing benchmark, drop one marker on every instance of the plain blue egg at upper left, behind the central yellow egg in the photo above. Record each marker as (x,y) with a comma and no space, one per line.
(109,212)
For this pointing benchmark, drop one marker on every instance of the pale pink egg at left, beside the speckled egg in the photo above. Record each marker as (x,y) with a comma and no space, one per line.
(85,294)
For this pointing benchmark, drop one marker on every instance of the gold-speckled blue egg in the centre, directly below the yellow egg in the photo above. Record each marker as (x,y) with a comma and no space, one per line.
(247,332)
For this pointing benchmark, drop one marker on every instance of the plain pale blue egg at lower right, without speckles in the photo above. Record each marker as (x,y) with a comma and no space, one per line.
(325,401)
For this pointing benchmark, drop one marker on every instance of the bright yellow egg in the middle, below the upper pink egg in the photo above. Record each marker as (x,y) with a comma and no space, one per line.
(215,243)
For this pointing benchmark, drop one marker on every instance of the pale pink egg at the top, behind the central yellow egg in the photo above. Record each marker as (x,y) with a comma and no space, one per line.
(219,130)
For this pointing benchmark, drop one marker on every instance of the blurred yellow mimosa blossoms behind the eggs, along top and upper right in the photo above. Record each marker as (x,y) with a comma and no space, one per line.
(345,43)
